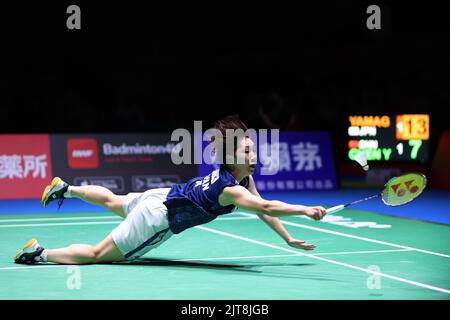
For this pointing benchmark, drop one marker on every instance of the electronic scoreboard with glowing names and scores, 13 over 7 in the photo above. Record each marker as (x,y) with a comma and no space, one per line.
(403,137)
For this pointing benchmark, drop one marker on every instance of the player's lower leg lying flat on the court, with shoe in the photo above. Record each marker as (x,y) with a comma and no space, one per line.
(104,252)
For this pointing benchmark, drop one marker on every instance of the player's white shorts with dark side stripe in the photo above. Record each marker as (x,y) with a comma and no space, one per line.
(145,226)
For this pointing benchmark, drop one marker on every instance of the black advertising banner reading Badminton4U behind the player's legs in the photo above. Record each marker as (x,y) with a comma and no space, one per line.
(120,162)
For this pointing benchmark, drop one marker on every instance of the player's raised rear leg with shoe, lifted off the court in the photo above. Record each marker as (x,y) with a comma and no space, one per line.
(98,195)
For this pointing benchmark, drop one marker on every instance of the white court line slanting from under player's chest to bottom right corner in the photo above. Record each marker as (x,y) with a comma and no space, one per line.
(419,284)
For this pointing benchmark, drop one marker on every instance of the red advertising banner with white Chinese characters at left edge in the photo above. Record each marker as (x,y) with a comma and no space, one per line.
(25,165)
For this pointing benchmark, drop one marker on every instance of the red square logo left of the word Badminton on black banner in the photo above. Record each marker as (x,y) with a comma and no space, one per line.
(82,153)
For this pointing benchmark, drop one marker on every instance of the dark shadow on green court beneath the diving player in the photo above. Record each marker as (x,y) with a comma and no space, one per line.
(244,267)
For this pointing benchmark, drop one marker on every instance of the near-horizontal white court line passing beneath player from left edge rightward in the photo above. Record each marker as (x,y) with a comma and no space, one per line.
(223,258)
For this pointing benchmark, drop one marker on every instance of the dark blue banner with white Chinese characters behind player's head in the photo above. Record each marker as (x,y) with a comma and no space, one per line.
(305,162)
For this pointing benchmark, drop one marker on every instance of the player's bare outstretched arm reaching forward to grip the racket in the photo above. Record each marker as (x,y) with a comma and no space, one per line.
(242,198)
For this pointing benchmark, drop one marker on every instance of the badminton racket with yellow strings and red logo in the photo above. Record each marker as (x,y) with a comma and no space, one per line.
(397,191)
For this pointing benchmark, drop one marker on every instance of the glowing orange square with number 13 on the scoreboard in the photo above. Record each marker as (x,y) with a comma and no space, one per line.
(412,126)
